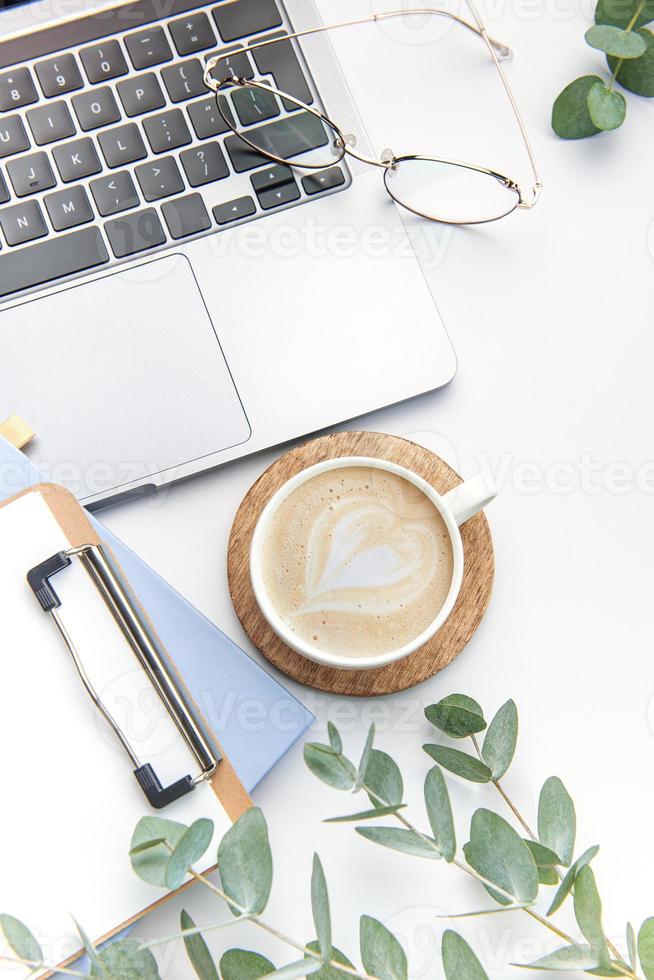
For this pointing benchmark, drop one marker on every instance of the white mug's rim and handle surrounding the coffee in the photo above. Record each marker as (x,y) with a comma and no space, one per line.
(455,507)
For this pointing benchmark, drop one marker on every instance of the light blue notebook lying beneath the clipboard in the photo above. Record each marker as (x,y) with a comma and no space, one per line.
(255,719)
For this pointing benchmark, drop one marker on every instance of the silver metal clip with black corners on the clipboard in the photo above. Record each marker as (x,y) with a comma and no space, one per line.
(143,643)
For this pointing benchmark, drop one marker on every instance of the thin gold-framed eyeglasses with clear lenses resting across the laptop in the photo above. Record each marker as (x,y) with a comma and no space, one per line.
(449,191)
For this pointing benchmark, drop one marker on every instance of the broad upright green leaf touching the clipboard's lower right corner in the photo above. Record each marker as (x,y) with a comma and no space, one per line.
(245,863)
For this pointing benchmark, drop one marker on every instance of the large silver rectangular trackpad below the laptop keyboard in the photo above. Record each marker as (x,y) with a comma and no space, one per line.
(122,378)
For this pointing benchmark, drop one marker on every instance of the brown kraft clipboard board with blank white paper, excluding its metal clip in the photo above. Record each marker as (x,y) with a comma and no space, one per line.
(70,800)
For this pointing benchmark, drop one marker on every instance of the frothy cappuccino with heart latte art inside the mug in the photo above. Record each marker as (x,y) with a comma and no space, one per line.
(357,561)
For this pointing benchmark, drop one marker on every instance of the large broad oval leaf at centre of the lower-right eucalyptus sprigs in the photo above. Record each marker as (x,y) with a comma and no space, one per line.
(497,852)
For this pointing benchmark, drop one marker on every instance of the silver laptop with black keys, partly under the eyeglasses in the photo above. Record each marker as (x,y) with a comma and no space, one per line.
(169,303)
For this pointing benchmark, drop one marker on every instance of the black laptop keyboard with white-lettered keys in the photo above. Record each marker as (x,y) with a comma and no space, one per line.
(113,148)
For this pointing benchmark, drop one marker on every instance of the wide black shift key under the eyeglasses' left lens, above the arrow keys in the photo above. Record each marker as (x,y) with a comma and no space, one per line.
(284,138)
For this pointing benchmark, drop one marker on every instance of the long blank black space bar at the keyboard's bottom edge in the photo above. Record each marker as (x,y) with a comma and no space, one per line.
(41,263)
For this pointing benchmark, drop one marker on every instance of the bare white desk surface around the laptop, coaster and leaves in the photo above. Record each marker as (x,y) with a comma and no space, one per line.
(548,313)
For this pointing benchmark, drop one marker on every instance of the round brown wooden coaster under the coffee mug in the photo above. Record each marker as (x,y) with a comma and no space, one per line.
(434,655)
